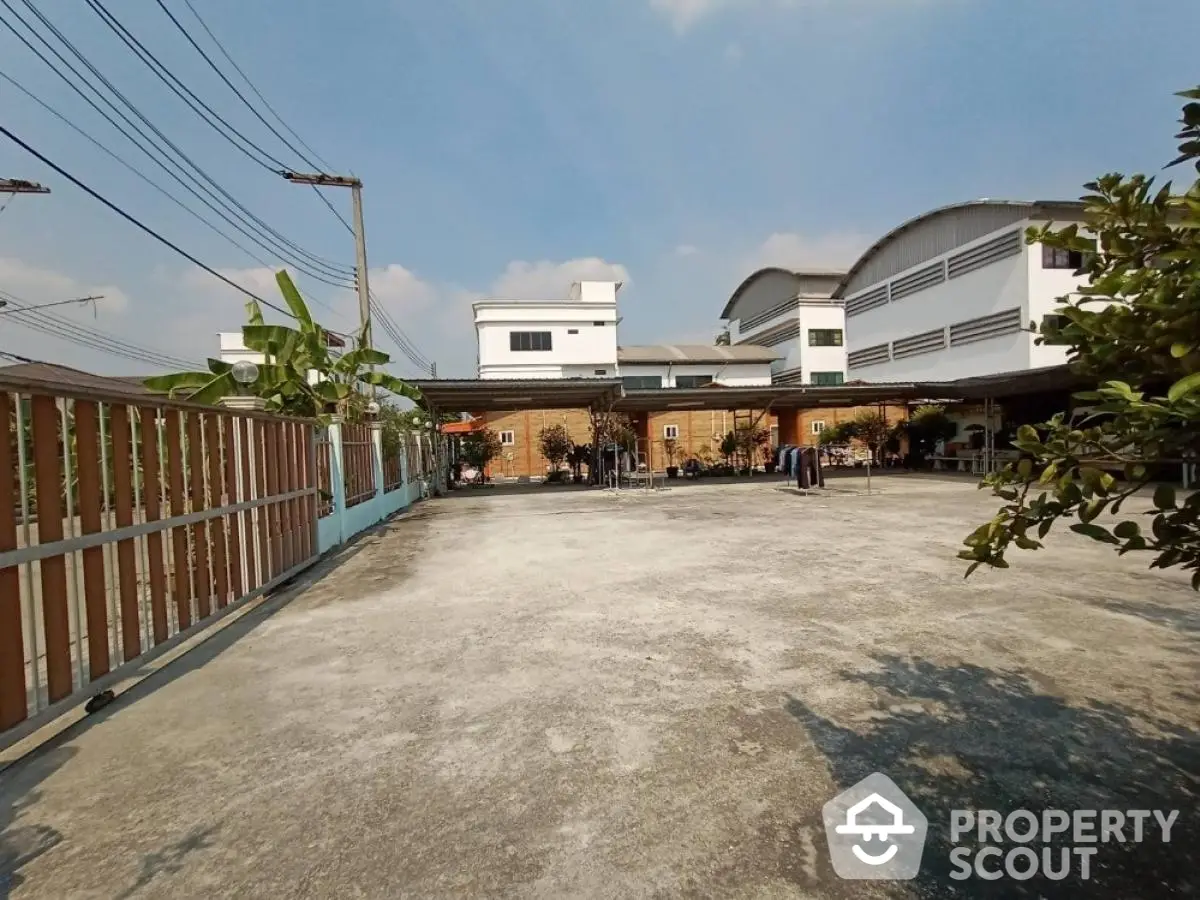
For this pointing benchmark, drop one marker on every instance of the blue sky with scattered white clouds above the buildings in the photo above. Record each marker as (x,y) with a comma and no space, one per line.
(511,148)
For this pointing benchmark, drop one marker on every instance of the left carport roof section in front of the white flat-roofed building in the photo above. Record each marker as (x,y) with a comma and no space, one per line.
(494,395)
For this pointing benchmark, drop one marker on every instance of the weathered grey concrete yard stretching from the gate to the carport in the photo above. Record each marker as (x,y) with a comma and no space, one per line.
(577,694)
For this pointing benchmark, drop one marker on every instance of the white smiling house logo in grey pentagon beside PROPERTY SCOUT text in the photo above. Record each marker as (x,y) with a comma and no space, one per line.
(875,832)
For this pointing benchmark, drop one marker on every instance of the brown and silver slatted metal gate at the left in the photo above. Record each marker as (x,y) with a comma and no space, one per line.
(129,521)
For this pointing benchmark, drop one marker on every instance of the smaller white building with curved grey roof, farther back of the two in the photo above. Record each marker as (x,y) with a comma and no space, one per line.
(794,314)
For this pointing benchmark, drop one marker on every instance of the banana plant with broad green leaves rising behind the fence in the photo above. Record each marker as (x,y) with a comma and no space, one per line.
(299,375)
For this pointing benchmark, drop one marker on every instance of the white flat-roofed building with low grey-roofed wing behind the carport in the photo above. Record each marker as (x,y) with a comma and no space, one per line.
(577,338)
